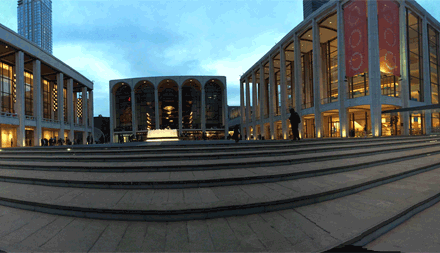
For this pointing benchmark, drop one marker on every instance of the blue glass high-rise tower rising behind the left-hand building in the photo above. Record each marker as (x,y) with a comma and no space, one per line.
(35,22)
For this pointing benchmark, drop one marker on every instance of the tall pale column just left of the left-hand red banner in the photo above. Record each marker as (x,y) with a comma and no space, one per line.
(342,85)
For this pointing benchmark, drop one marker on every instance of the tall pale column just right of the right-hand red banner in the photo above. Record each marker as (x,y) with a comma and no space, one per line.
(404,67)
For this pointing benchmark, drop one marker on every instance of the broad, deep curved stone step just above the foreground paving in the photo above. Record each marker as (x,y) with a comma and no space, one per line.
(202,203)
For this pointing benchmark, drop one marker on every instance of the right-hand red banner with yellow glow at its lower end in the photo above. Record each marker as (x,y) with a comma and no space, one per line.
(389,41)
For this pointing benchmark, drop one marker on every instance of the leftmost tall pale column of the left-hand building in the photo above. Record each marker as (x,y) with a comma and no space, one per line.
(20,103)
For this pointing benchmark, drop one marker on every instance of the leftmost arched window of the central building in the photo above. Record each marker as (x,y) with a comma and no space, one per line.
(123,108)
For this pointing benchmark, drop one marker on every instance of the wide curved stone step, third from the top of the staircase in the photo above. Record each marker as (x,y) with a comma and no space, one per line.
(194,165)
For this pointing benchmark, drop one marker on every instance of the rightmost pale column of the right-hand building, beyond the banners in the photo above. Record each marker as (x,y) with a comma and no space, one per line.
(426,74)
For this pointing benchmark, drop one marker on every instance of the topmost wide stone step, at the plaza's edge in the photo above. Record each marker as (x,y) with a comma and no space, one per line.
(146,149)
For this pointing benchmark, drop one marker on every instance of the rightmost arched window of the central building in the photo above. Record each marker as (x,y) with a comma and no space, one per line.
(214,105)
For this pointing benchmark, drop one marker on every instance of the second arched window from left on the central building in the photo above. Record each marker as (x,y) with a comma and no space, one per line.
(145,107)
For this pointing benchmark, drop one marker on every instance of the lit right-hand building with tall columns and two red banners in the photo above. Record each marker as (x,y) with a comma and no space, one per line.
(341,68)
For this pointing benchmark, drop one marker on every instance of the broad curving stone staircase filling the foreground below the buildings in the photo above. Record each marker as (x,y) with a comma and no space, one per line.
(350,190)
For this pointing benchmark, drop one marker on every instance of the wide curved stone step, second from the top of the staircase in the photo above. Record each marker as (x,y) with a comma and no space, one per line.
(169,156)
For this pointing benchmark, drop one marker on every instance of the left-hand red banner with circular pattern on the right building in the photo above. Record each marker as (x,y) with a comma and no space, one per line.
(356,37)
